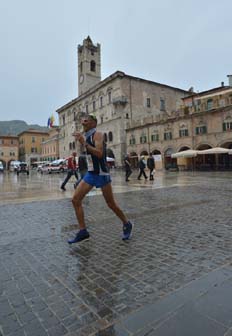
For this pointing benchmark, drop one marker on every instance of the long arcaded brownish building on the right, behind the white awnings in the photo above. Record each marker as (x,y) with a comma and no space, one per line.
(203,121)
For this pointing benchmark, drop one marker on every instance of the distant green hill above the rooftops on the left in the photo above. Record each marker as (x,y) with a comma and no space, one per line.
(14,127)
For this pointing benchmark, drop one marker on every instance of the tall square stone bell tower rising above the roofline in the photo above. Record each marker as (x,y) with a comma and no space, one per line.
(89,65)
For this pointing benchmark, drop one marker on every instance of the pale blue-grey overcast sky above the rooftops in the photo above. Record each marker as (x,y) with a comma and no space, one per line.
(180,43)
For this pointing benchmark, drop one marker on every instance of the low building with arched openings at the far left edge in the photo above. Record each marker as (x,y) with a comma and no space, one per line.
(9,149)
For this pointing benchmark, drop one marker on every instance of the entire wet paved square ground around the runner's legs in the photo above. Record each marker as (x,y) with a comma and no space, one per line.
(174,277)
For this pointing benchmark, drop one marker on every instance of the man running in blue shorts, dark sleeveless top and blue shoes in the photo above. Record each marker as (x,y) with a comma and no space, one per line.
(97,176)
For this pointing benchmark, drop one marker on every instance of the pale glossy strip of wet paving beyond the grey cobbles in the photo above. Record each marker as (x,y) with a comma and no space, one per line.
(23,188)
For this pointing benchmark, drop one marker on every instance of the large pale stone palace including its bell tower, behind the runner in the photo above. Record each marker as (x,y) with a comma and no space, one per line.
(117,101)
